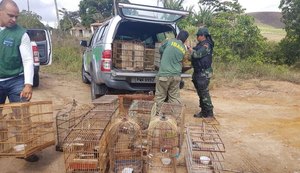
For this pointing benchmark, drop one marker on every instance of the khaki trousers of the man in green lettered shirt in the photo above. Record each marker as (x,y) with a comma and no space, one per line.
(167,90)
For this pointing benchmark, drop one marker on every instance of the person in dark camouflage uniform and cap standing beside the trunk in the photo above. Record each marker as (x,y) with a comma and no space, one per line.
(201,57)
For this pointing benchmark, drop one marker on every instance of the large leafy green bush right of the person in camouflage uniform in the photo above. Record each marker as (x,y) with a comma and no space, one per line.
(237,37)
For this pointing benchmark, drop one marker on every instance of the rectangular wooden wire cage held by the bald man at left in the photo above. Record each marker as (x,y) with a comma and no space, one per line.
(26,128)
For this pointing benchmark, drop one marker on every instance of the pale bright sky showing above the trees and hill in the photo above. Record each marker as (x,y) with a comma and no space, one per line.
(46,8)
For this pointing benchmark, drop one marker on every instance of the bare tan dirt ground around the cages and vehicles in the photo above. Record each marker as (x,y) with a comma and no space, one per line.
(259,123)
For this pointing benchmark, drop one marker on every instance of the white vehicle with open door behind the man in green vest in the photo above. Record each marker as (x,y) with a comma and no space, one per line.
(42,51)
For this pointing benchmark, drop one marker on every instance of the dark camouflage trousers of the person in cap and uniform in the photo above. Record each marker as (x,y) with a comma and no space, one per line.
(201,82)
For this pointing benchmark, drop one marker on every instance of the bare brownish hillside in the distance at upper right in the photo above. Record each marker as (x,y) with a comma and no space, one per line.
(268,18)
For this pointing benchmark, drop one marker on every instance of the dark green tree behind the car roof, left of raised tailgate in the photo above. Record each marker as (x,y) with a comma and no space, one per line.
(91,11)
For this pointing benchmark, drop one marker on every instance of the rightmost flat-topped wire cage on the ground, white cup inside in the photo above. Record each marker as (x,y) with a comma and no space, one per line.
(205,149)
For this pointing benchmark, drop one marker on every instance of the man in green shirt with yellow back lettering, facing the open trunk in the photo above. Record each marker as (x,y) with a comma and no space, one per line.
(169,75)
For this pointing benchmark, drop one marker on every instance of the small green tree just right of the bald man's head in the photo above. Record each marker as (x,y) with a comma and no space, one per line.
(29,19)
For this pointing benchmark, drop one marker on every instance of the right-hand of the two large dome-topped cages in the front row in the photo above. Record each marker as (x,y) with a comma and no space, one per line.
(163,144)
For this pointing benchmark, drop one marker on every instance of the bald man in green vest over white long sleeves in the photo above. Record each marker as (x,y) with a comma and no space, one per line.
(16,60)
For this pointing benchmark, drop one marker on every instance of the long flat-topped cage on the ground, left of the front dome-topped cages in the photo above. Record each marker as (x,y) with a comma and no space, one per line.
(83,144)
